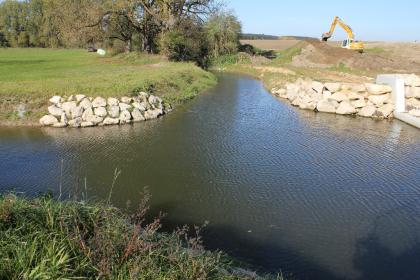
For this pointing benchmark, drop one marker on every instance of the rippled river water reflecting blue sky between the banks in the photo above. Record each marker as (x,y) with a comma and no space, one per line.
(318,195)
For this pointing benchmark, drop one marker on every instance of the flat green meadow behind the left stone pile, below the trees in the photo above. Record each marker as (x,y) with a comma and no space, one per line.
(29,77)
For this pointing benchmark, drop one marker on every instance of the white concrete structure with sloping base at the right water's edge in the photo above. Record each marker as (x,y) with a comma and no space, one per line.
(398,96)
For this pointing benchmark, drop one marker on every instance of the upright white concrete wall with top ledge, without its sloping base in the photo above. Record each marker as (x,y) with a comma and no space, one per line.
(398,90)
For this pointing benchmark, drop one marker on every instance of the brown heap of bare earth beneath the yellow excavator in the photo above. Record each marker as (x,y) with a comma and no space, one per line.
(321,55)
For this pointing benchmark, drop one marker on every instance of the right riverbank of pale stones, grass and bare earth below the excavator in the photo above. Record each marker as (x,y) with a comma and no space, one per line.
(322,78)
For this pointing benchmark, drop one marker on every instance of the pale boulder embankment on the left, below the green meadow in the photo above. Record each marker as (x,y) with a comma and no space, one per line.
(83,111)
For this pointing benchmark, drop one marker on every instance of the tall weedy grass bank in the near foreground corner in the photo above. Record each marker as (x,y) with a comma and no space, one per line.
(46,239)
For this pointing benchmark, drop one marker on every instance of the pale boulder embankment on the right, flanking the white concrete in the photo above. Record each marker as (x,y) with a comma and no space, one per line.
(366,100)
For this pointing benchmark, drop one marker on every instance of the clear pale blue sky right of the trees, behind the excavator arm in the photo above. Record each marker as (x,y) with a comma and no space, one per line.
(370,19)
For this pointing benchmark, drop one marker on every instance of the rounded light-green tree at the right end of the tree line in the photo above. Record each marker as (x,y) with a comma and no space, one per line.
(223,31)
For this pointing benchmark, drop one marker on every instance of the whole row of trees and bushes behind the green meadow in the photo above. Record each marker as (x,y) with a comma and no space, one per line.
(195,30)
